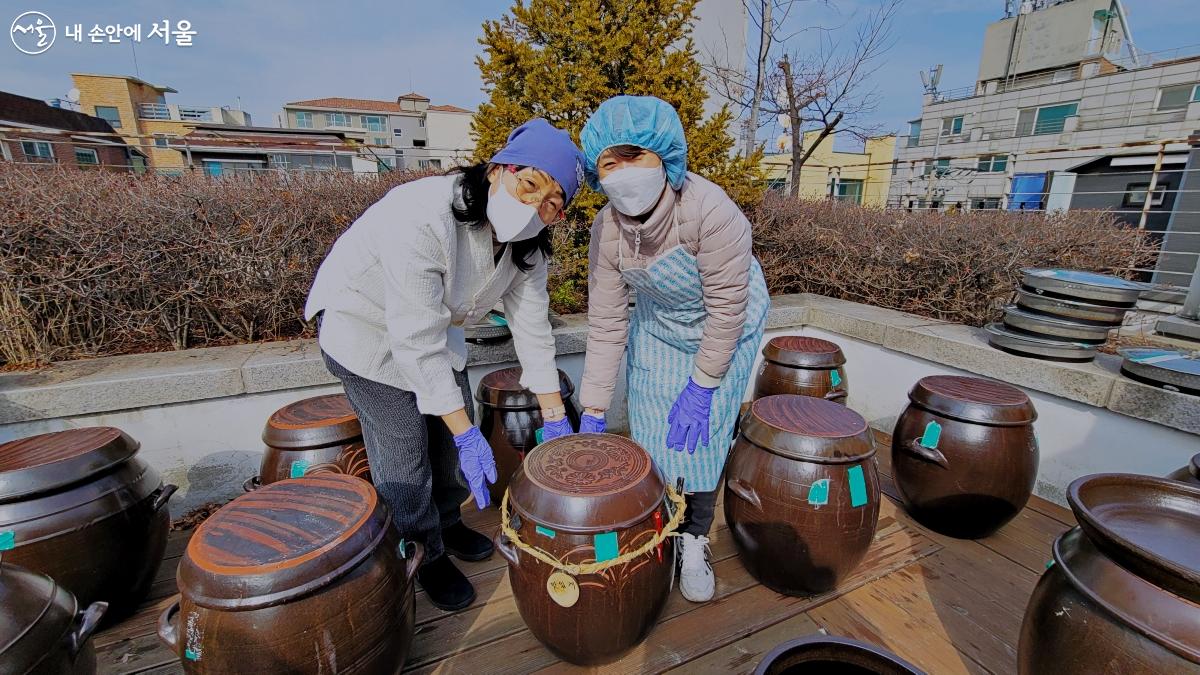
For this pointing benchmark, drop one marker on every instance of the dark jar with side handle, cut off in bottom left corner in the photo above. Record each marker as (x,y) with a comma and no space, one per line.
(43,629)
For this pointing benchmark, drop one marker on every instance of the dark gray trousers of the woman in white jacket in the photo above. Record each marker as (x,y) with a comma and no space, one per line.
(415,463)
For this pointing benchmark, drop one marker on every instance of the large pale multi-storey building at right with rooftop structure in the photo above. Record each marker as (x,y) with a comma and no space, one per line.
(1060,85)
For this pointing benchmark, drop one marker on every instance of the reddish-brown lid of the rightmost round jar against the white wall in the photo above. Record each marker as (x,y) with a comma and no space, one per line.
(974,399)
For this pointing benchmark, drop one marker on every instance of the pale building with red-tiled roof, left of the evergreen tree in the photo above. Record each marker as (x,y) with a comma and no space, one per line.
(406,134)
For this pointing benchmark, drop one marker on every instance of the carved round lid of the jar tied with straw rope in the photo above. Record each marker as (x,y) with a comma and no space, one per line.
(587,483)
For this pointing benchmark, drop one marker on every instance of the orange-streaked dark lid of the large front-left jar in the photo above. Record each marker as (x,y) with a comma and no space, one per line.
(283,540)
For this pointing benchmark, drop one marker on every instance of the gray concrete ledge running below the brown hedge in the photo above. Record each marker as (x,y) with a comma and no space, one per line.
(137,381)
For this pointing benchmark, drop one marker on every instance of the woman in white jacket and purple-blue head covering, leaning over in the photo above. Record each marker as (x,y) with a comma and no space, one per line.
(394,295)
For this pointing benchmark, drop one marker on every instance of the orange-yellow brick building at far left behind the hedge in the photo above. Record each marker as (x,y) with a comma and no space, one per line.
(141,115)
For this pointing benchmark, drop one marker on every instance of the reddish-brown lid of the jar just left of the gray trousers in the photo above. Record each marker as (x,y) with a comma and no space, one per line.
(313,423)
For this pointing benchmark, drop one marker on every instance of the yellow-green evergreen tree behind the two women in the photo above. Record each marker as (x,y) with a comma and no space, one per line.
(561,59)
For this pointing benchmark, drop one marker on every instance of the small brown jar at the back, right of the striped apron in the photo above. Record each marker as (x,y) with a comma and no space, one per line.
(796,365)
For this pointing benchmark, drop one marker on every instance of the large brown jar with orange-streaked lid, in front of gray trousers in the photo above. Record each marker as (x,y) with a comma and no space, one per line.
(302,576)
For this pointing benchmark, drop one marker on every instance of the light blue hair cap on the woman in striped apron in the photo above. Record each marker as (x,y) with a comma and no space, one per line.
(645,122)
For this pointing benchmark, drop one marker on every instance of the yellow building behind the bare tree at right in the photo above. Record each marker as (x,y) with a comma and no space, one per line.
(849,176)
